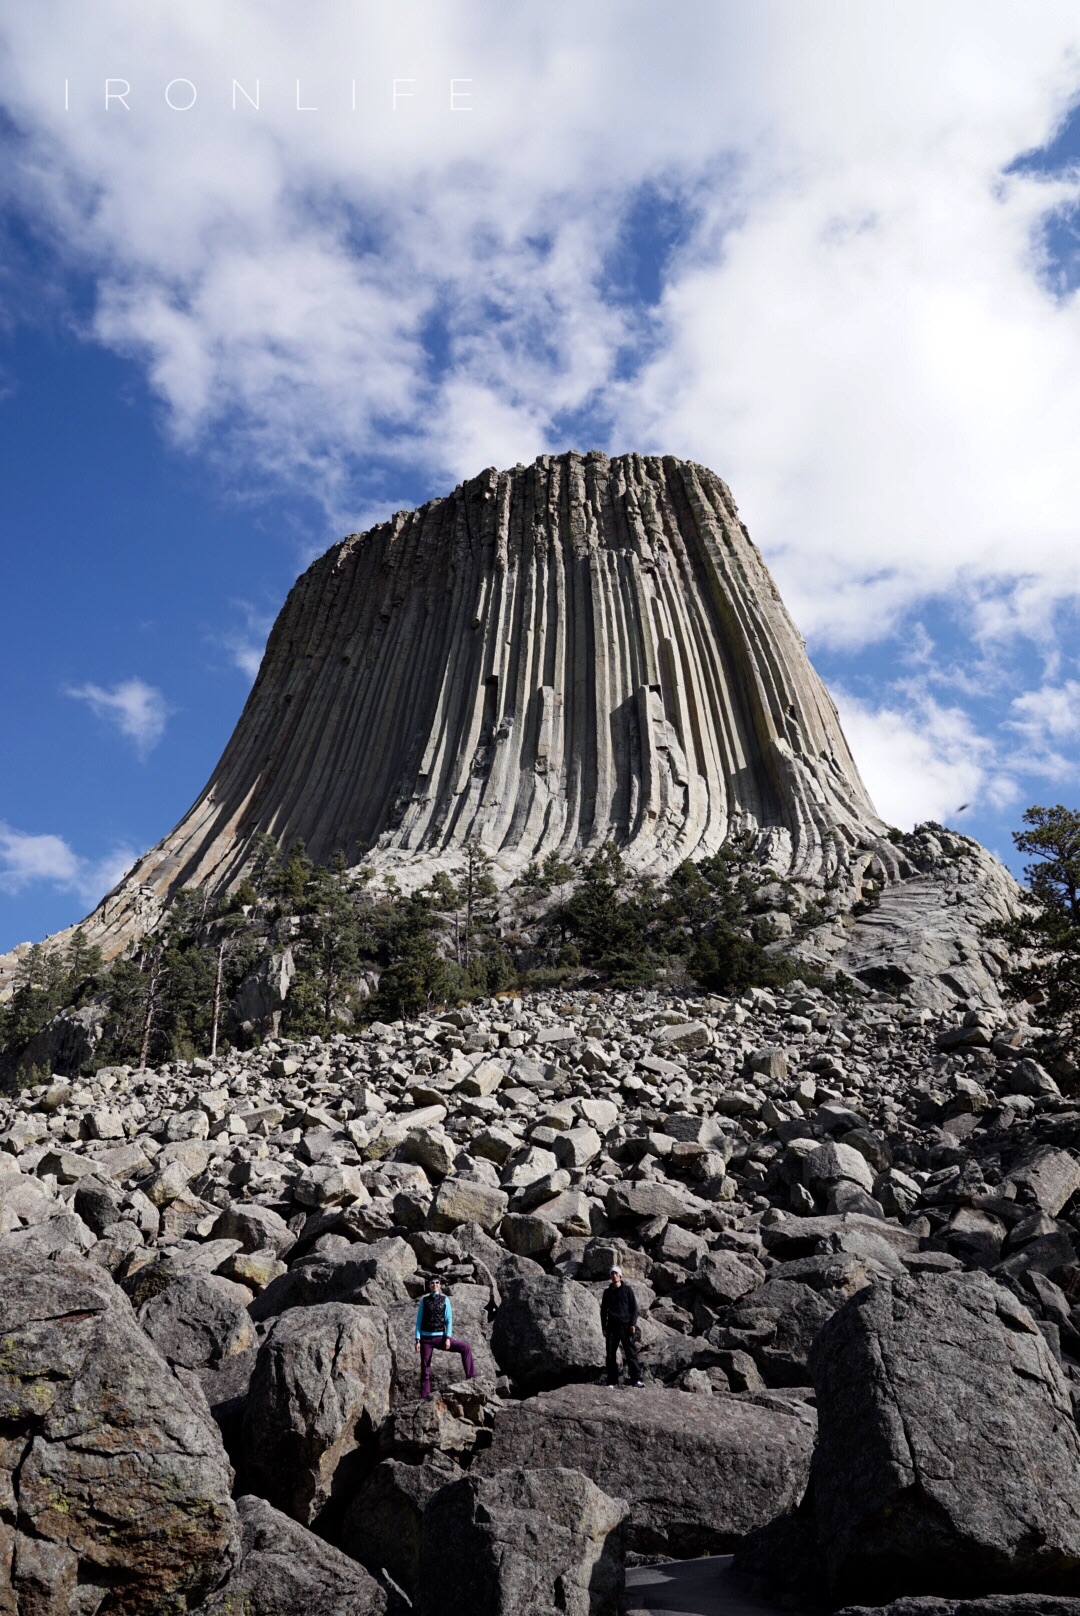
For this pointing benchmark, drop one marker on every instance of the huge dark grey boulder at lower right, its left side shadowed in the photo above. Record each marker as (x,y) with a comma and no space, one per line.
(948,1457)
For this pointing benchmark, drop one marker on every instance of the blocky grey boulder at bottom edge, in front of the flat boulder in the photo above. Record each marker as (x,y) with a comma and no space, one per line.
(521,1544)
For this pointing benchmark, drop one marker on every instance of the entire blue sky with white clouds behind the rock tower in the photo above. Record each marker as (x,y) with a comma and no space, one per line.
(830,251)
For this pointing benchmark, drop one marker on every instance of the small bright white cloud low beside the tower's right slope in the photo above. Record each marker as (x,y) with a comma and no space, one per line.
(924,760)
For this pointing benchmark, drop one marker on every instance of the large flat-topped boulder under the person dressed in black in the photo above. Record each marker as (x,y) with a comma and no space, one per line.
(698,1473)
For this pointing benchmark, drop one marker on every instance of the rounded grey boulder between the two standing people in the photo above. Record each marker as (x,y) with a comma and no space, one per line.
(547,1332)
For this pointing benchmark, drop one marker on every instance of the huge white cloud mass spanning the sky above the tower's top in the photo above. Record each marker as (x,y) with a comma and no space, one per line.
(854,330)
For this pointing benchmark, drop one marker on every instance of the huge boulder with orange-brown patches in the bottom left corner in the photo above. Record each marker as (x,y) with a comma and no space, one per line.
(114,1484)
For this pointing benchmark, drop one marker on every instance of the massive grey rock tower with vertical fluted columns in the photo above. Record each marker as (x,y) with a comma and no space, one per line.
(551,659)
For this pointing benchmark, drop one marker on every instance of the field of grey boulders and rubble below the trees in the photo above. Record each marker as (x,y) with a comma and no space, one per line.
(854,1239)
